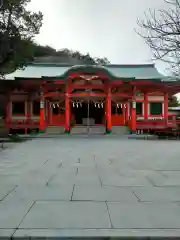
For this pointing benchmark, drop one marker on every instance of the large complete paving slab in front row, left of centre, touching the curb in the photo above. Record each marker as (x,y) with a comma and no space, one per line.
(67,215)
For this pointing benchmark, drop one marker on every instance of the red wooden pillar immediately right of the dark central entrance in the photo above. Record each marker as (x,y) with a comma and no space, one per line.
(108,111)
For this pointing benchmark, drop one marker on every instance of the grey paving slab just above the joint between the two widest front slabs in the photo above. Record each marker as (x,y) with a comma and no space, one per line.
(95,193)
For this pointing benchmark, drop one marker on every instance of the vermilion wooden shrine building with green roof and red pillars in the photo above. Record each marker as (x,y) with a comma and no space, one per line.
(61,95)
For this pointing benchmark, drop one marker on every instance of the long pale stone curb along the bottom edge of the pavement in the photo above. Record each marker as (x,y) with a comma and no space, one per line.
(89,234)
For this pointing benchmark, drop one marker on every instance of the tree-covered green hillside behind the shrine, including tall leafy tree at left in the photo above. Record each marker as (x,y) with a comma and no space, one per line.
(18,28)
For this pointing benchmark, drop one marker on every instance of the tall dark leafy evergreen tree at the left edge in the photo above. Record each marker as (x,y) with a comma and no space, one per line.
(18,26)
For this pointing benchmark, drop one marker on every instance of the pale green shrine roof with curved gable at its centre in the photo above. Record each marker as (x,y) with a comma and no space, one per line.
(61,71)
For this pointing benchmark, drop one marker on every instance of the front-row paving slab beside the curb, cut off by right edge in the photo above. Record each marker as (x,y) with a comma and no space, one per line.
(145,215)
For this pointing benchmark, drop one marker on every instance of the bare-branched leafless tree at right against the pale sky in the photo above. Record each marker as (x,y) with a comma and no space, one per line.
(161,31)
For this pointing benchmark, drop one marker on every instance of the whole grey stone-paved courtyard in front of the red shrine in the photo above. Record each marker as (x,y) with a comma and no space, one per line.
(90,187)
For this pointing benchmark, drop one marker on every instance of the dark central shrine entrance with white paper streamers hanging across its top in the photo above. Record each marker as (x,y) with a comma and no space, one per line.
(88,113)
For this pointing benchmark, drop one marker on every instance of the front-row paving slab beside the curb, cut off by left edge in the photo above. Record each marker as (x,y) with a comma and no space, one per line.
(12,213)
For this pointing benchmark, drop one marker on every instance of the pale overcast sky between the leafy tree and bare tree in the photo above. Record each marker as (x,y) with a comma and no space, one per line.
(101,27)
